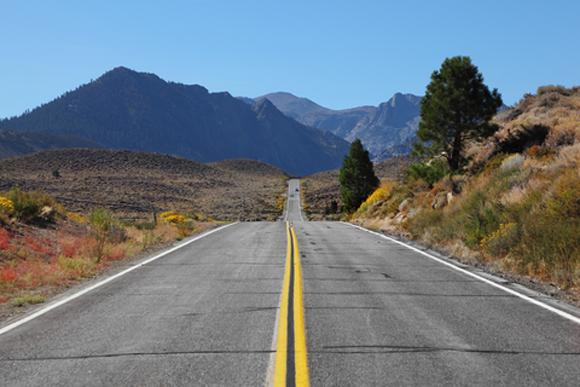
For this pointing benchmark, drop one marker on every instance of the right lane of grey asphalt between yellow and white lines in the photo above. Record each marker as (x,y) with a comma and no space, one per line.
(380,314)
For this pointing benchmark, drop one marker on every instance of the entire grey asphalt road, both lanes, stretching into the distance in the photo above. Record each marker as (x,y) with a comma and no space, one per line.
(227,309)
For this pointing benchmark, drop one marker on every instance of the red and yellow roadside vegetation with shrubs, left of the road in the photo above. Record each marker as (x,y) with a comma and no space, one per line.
(44,248)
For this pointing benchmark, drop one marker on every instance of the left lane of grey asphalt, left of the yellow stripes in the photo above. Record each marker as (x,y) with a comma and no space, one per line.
(203,315)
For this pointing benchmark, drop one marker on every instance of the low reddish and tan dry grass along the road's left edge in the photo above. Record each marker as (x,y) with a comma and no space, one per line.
(38,261)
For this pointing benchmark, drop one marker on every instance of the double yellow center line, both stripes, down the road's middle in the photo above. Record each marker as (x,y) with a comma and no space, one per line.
(291,367)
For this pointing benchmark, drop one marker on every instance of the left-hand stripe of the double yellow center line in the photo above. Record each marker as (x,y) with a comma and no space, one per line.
(282,337)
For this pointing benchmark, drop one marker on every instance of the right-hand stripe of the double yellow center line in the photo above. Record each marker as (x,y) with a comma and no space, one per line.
(300,350)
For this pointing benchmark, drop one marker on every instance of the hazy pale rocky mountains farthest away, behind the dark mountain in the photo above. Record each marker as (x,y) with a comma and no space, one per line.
(386,130)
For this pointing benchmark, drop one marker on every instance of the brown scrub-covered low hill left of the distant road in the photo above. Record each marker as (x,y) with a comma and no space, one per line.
(137,183)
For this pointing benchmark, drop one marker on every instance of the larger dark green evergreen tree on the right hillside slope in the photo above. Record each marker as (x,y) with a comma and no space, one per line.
(457,107)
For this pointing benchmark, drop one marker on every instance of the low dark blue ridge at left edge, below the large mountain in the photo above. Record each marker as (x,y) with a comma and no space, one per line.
(15,143)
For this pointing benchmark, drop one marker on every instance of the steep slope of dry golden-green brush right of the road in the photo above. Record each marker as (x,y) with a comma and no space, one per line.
(515,206)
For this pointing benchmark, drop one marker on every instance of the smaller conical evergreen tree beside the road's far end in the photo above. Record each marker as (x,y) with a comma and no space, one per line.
(357,177)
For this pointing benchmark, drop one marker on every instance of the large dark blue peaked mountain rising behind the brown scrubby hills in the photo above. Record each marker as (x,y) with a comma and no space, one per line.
(124,109)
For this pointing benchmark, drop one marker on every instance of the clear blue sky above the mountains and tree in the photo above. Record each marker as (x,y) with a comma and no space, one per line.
(337,53)
